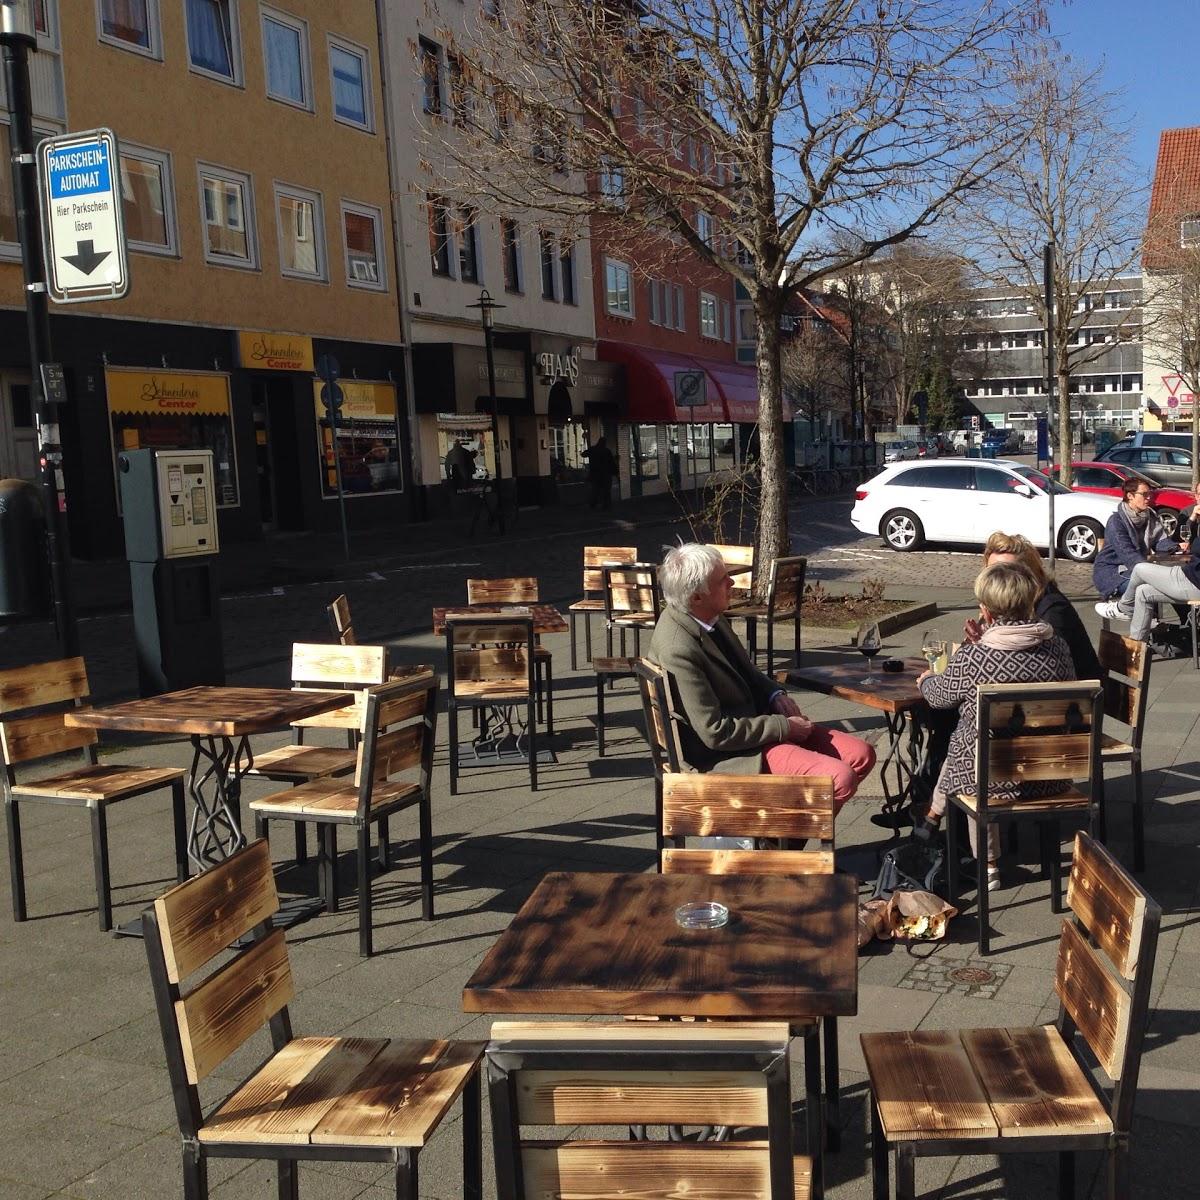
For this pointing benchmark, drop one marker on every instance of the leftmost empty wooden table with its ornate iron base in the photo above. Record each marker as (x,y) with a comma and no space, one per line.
(213,718)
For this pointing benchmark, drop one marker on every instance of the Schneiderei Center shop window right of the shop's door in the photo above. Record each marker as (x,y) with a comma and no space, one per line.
(368,440)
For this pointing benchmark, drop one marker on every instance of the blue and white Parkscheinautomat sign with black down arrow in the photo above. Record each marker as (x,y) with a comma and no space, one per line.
(83,233)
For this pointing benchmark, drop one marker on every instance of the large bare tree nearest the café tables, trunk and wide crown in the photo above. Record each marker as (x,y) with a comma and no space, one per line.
(754,133)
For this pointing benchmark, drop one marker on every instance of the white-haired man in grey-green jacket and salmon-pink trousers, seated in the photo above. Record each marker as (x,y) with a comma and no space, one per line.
(739,721)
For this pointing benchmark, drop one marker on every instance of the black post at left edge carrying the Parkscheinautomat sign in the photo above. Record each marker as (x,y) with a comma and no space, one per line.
(19,37)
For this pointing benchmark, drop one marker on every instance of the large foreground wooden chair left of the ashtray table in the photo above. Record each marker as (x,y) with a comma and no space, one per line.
(315,1099)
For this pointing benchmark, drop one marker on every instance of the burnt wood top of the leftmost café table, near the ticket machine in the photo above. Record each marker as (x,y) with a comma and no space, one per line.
(212,712)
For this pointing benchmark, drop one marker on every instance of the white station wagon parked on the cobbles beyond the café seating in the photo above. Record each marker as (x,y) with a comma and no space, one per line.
(963,503)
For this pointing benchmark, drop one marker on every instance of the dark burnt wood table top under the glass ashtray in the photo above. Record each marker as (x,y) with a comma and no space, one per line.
(609,944)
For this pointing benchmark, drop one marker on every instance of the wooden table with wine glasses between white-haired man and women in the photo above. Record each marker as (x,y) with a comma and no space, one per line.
(898,698)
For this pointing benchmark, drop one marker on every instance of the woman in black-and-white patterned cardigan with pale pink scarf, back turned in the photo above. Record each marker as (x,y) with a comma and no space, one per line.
(1013,647)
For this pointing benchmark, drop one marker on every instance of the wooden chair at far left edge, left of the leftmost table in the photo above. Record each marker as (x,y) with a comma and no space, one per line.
(34,701)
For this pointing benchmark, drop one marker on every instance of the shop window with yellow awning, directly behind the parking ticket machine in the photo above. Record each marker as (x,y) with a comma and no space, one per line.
(176,411)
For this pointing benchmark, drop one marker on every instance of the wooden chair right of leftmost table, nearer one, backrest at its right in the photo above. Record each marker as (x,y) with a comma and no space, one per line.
(399,731)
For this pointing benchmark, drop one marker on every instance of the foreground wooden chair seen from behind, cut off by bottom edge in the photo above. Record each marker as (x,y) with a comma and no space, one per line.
(621,1077)
